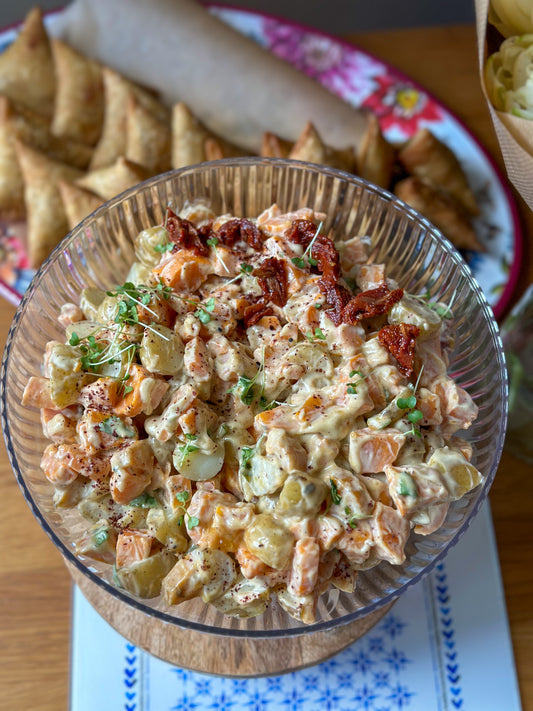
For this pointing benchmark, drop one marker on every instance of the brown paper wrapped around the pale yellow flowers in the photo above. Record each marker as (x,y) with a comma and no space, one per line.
(515,135)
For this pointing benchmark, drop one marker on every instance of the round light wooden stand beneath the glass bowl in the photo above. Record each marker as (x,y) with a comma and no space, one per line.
(215,654)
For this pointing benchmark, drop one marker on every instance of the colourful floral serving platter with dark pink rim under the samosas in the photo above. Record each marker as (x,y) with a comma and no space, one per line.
(402,108)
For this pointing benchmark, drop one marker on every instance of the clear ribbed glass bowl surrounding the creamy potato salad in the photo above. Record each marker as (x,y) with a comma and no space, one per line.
(99,252)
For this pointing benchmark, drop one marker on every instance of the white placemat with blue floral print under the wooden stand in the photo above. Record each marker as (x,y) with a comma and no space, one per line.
(444,646)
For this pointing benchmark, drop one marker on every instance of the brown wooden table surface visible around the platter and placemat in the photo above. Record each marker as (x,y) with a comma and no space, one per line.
(35,589)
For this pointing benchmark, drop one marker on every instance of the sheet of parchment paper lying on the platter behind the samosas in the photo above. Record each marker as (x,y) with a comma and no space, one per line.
(237,88)
